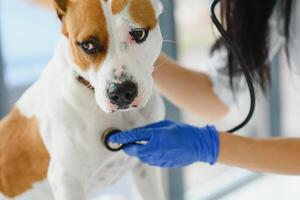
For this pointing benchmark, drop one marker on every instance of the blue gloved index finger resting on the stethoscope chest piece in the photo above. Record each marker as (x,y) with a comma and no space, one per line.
(132,136)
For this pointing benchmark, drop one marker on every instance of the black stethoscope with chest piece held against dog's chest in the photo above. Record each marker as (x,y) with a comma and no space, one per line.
(117,147)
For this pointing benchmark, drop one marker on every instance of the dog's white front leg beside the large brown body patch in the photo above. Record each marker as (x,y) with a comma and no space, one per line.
(67,168)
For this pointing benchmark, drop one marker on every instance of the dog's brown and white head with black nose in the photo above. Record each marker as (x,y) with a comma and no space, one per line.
(114,44)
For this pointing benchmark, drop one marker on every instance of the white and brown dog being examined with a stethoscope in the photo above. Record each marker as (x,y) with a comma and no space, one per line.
(99,78)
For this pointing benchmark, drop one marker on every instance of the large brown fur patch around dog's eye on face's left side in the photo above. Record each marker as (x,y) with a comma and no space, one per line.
(79,29)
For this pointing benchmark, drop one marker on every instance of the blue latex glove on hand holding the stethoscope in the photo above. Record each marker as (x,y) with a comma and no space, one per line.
(171,144)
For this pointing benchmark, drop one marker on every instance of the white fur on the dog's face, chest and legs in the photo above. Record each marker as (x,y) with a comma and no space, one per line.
(71,122)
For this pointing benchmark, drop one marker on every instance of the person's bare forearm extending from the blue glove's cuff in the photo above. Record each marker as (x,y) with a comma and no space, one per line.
(263,155)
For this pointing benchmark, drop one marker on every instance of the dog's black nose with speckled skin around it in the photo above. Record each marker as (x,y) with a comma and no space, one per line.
(122,94)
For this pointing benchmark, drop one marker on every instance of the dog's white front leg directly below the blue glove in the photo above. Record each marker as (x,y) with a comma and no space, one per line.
(149,182)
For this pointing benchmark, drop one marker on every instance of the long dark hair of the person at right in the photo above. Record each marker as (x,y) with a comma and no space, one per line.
(247,23)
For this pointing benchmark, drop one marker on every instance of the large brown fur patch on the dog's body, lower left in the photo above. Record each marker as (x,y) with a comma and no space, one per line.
(24,159)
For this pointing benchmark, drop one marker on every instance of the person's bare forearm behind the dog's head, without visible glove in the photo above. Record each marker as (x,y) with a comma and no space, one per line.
(190,90)
